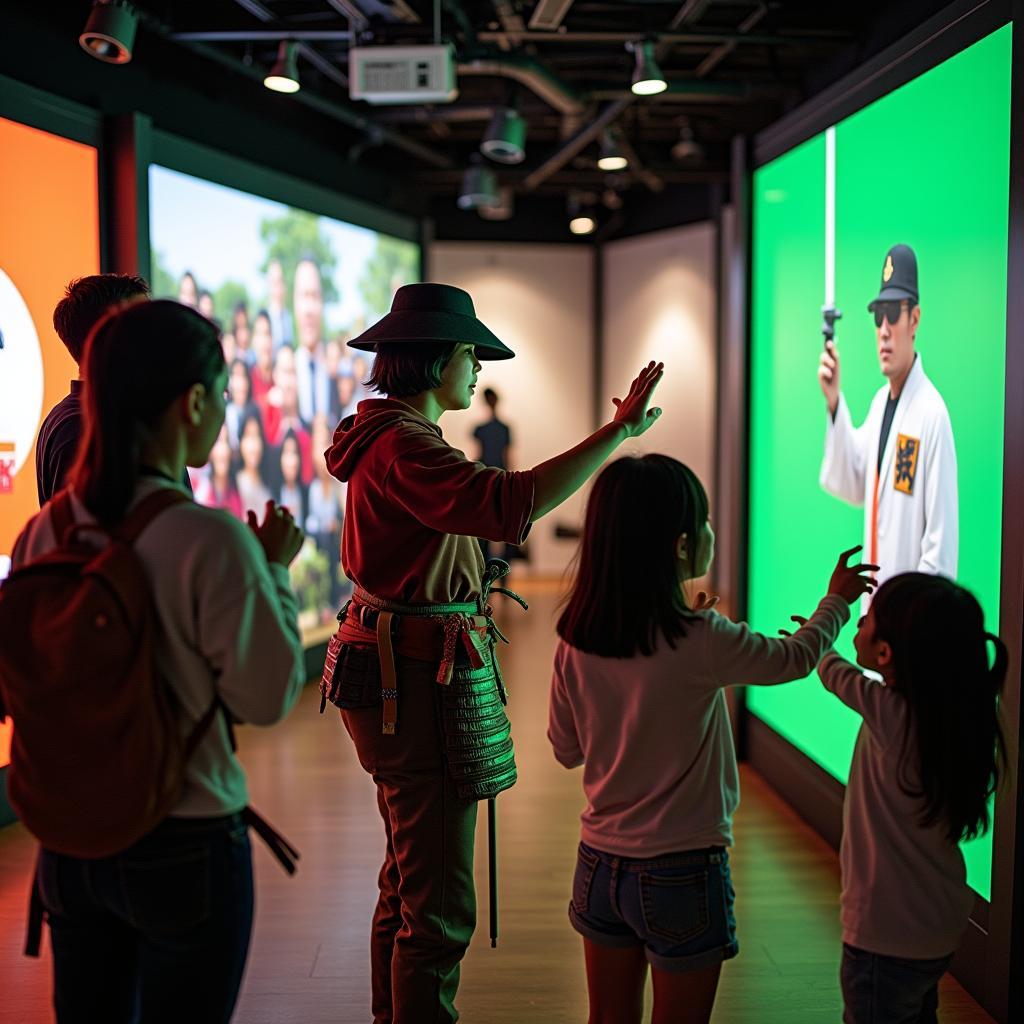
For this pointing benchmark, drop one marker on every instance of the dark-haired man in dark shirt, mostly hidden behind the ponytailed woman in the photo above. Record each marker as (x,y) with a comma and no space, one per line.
(84,305)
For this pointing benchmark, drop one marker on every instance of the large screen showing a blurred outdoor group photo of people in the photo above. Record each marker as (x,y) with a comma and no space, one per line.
(288,289)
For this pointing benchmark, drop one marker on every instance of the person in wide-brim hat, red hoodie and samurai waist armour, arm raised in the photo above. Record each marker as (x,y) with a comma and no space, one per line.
(412,666)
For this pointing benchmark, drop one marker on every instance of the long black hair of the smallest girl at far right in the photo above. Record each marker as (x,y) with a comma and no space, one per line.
(936,630)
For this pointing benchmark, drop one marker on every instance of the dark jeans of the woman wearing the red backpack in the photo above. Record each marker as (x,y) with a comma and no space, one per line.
(158,933)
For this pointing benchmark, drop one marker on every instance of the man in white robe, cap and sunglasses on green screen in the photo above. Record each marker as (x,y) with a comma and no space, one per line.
(902,463)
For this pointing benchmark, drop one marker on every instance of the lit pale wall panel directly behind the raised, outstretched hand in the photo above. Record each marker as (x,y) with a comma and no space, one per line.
(659,304)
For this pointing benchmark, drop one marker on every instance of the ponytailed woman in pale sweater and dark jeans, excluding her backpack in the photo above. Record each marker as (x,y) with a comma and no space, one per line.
(160,931)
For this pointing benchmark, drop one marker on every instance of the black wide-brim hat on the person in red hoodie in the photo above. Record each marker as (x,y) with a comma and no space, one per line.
(432,314)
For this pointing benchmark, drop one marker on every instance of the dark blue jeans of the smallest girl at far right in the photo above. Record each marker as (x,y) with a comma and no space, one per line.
(881,990)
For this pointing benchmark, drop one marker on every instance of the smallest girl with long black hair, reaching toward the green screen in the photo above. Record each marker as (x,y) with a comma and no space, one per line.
(928,757)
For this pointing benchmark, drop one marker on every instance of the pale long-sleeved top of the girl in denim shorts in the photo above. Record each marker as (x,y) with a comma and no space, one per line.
(654,735)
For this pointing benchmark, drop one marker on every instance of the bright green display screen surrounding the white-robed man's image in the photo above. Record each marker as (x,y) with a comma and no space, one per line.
(927,166)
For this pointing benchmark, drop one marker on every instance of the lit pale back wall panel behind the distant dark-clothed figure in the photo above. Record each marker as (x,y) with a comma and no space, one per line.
(539,301)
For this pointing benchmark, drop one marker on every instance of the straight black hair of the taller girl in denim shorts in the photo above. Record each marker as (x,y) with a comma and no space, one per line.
(627,589)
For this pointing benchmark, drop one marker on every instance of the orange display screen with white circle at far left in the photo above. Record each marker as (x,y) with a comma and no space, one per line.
(50,234)
